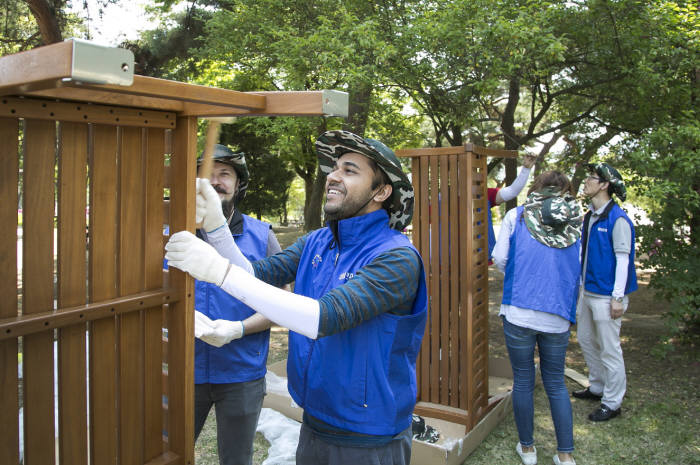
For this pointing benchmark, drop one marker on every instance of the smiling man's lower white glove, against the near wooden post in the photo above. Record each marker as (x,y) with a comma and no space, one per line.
(192,255)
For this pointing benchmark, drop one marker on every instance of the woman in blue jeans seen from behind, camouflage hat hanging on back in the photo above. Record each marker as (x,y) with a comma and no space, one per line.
(538,251)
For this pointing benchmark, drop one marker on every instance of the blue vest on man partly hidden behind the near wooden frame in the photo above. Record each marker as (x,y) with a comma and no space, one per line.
(243,359)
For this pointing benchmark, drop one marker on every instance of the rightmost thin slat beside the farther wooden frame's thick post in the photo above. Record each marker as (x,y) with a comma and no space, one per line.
(455,240)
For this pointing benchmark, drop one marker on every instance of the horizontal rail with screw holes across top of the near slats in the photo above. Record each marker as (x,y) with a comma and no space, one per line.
(16,107)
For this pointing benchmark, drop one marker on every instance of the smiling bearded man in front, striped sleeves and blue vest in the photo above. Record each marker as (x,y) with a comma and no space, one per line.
(358,310)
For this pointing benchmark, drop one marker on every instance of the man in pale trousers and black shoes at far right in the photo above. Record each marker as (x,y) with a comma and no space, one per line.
(608,276)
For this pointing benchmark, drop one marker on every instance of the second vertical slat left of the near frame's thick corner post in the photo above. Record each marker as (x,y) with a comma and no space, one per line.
(131,254)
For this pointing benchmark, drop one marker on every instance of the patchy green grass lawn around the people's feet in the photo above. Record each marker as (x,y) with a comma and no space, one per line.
(660,422)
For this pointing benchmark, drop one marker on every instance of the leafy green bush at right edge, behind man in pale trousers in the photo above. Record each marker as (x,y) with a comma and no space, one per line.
(665,170)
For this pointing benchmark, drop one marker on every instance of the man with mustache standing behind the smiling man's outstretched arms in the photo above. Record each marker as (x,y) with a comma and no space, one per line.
(232,339)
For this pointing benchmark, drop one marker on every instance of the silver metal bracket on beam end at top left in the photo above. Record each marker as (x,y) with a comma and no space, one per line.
(98,64)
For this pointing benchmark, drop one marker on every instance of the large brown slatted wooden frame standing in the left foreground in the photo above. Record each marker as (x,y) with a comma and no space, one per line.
(114,139)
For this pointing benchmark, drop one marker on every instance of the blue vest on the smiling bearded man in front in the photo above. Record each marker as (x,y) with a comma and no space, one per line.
(362,379)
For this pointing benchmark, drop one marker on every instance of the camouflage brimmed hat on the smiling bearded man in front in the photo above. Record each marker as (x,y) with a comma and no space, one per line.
(331,145)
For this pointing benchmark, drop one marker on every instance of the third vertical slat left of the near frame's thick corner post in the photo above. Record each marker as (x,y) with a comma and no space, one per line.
(103,286)
